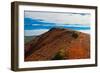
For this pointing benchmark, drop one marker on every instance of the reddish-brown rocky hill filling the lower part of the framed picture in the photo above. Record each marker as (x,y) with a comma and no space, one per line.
(74,45)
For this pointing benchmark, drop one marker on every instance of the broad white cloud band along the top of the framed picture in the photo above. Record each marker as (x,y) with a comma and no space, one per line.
(59,18)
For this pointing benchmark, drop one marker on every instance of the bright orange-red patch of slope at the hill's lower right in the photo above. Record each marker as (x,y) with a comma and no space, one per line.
(80,48)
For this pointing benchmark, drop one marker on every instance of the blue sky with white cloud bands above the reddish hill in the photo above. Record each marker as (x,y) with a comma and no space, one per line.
(39,22)
